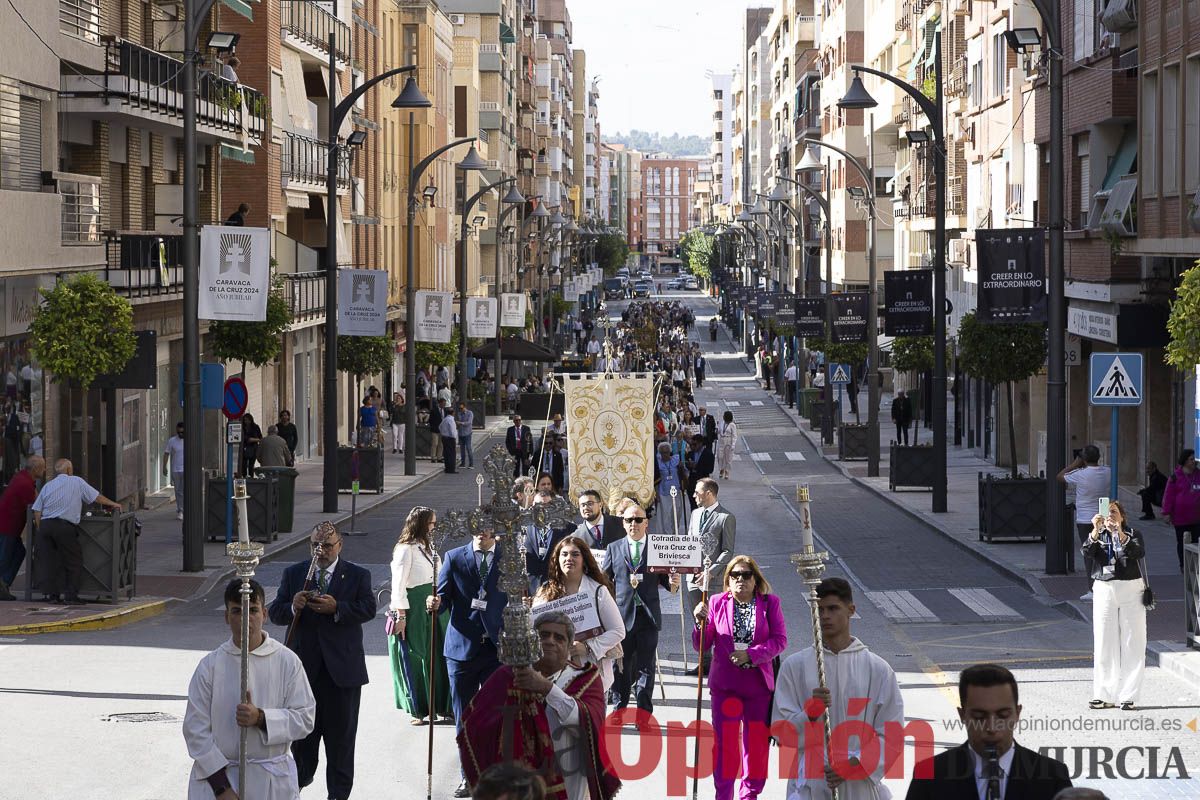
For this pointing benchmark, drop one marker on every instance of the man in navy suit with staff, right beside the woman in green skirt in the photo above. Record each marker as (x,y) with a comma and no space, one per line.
(469,590)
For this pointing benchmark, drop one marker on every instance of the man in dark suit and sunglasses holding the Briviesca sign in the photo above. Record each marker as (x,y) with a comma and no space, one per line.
(638,598)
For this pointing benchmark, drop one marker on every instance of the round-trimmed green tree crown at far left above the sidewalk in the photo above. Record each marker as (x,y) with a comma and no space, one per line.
(83,329)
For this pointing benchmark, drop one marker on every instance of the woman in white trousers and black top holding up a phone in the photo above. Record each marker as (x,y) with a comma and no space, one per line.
(1119,617)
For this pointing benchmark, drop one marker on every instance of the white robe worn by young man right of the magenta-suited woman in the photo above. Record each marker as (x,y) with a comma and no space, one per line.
(854,673)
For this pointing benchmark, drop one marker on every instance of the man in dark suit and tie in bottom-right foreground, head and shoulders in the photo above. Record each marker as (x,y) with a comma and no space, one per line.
(989,766)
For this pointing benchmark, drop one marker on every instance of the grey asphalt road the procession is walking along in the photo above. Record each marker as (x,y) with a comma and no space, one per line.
(925,604)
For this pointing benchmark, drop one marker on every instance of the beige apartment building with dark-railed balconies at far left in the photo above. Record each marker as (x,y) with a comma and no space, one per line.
(93,182)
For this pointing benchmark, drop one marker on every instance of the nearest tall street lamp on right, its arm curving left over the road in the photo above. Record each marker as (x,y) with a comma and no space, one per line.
(859,98)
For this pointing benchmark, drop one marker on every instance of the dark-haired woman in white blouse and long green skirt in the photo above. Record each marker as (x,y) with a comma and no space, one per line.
(409,647)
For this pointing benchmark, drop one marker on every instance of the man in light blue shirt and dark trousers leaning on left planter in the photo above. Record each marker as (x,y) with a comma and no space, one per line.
(57,513)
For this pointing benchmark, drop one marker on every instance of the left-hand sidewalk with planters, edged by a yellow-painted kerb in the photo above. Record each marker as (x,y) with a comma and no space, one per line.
(160,579)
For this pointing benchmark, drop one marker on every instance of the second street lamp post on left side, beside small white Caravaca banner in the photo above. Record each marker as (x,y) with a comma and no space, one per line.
(416,170)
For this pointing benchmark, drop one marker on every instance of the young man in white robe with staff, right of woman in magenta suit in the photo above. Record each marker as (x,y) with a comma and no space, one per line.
(853,675)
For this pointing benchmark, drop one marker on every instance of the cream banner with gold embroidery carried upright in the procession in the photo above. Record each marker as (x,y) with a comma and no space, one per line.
(610,420)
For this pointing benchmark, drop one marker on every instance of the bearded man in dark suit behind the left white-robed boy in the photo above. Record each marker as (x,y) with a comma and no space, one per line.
(326,619)
